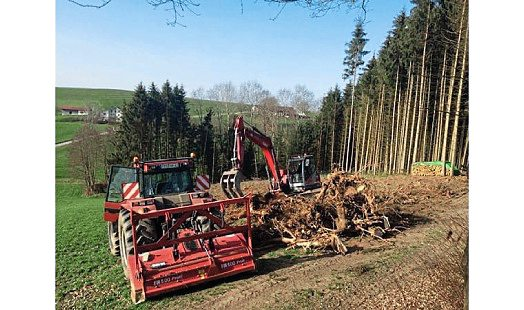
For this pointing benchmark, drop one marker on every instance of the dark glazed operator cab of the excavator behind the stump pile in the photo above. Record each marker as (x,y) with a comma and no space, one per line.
(302,174)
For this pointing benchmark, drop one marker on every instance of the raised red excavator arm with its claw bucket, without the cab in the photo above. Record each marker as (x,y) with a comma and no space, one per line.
(230,181)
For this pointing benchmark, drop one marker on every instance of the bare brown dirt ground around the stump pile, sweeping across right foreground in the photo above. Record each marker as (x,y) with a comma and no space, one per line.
(410,270)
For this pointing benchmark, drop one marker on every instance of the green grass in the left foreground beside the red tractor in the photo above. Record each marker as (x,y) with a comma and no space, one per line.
(87,276)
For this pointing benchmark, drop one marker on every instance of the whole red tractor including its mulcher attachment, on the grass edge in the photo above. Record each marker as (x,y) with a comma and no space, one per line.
(170,234)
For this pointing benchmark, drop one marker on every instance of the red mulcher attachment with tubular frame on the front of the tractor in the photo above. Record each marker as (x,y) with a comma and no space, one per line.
(183,256)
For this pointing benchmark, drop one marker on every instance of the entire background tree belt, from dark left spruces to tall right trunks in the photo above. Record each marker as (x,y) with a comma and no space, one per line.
(408,103)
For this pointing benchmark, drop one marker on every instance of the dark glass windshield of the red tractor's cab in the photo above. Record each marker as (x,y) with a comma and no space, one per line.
(168,181)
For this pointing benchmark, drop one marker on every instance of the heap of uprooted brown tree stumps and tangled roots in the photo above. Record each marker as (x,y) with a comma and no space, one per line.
(344,207)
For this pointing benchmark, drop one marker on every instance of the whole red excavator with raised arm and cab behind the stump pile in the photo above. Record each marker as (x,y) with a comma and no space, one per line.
(299,176)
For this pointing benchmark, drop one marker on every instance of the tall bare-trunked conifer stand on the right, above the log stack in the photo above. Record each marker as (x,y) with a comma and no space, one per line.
(409,103)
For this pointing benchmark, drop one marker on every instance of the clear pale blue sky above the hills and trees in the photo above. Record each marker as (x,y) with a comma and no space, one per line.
(128,41)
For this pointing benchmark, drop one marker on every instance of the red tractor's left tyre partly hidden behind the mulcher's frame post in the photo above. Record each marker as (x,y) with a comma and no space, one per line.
(146,232)
